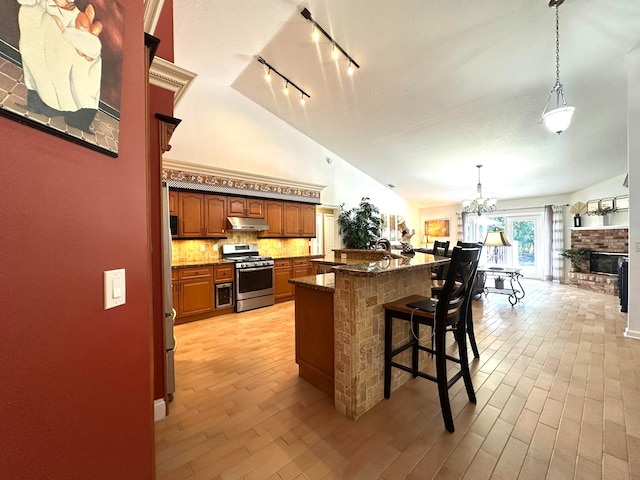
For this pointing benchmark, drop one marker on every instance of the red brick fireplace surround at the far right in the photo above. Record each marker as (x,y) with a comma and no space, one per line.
(606,240)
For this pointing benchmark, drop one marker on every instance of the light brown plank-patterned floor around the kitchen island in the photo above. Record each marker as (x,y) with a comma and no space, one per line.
(557,386)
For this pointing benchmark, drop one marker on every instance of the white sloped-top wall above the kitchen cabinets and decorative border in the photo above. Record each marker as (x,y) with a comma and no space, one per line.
(247,138)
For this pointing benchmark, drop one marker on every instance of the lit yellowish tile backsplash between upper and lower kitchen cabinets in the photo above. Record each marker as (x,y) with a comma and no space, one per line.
(209,250)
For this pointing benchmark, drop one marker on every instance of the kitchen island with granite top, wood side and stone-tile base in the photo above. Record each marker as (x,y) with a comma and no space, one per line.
(358,289)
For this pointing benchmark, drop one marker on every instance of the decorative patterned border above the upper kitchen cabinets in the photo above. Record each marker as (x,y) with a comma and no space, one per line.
(185,179)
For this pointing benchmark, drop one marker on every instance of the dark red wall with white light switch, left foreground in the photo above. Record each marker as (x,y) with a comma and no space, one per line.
(76,399)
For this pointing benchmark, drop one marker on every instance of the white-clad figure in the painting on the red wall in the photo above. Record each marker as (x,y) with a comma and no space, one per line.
(61,59)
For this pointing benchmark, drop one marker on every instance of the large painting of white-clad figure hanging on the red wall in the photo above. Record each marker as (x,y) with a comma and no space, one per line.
(63,60)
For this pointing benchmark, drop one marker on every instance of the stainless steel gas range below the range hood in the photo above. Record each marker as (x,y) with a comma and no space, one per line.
(253,278)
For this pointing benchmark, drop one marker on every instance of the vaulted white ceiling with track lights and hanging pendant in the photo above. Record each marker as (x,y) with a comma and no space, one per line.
(442,85)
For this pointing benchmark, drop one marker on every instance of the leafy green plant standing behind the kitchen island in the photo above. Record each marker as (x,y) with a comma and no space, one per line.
(361,225)
